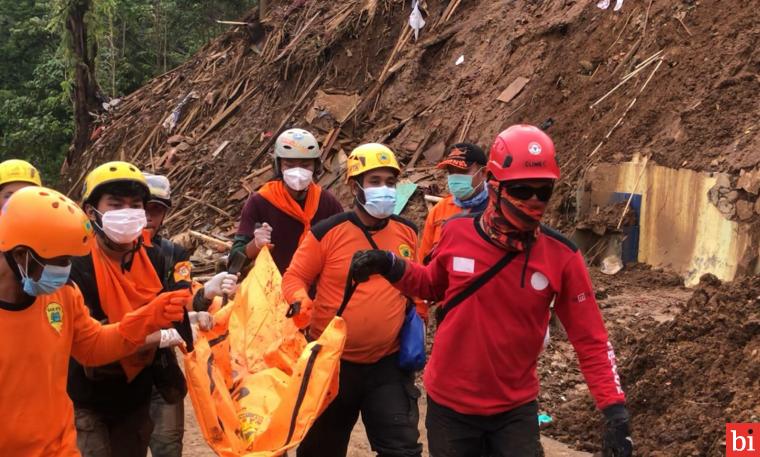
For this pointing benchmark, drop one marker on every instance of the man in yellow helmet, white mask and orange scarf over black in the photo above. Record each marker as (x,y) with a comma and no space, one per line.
(122,273)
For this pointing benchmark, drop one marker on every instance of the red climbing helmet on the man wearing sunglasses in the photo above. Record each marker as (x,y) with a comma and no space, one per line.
(523,152)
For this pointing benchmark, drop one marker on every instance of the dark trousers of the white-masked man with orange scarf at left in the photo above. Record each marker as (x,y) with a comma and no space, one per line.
(105,435)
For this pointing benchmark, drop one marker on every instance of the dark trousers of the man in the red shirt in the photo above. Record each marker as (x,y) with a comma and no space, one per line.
(510,434)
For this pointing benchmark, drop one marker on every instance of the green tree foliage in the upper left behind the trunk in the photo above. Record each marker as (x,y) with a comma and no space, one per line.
(131,40)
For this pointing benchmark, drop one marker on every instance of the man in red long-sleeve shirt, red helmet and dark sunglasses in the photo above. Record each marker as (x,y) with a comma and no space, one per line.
(481,378)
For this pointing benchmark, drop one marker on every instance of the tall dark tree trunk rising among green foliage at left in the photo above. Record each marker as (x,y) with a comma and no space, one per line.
(85,96)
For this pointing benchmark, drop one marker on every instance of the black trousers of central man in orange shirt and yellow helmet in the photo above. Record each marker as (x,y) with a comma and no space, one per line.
(385,396)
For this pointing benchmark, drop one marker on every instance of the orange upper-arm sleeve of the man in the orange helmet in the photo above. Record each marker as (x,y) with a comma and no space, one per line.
(95,344)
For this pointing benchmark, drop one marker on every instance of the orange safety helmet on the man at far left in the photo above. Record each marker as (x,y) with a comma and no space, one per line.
(46,221)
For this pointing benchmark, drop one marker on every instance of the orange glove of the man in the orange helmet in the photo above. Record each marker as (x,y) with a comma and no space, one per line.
(159,313)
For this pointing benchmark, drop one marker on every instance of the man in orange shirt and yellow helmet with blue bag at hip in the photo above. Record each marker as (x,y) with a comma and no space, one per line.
(371,382)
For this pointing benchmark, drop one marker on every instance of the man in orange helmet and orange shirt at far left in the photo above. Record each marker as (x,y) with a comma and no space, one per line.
(44,321)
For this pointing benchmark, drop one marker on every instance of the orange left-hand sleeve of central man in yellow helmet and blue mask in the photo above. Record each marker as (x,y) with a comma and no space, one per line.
(303,271)
